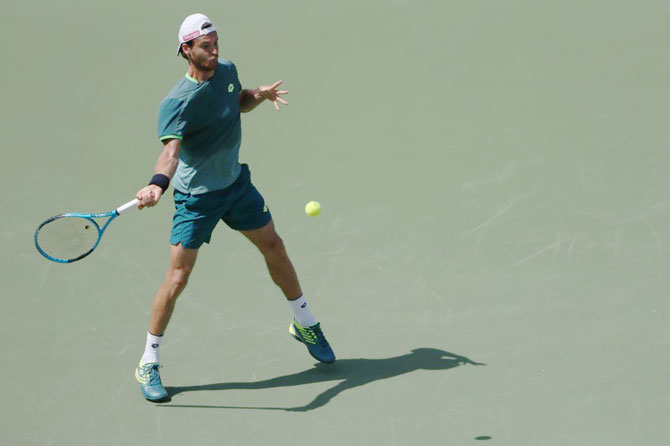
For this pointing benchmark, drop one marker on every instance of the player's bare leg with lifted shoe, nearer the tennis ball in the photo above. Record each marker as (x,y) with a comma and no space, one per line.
(304,328)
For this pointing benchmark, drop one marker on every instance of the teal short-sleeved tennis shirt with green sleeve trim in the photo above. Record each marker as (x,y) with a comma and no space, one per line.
(206,118)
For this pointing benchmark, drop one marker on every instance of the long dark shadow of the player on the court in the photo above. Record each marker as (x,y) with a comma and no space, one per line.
(349,372)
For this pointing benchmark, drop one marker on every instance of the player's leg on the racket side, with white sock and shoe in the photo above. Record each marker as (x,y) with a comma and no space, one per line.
(182,261)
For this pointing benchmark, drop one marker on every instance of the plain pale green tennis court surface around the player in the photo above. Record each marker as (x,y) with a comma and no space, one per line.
(490,265)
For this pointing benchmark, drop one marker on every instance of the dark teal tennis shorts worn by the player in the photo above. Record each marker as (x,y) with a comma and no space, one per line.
(239,205)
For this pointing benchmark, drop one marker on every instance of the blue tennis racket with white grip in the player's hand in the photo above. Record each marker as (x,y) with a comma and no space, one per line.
(66,238)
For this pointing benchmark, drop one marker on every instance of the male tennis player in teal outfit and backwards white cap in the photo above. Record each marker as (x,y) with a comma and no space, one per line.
(199,126)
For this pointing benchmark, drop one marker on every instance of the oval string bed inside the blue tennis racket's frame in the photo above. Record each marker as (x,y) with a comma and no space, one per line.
(68,238)
